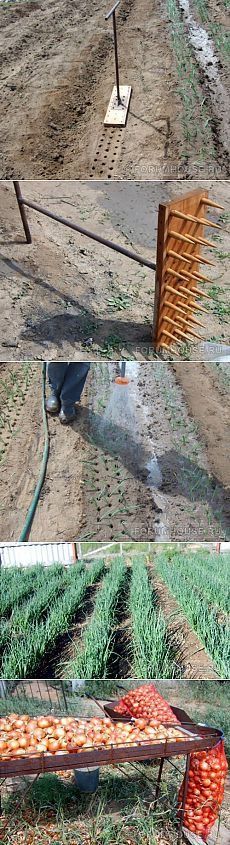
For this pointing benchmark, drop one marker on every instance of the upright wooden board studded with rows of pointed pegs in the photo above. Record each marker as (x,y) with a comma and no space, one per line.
(181,268)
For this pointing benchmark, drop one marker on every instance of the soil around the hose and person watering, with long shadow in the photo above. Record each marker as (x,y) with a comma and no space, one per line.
(146,463)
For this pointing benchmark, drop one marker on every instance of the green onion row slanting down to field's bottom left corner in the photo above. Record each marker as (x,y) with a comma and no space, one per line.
(24,655)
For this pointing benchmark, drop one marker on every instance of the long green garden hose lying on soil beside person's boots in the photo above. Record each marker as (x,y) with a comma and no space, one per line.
(30,514)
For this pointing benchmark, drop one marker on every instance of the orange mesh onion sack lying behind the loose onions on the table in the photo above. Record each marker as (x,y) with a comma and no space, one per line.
(146,702)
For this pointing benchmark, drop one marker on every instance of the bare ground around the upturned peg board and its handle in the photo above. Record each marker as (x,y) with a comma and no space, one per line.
(66,296)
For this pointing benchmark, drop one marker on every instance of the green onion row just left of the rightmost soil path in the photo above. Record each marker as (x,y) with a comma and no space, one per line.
(151,654)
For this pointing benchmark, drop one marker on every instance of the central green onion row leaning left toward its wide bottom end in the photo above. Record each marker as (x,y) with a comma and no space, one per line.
(91,660)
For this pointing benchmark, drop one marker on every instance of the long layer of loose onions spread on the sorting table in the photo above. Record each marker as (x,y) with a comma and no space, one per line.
(25,736)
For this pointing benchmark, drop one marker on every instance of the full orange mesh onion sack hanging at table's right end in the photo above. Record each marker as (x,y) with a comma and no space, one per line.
(207,775)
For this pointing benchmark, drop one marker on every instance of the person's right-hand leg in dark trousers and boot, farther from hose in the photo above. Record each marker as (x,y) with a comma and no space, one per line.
(72,388)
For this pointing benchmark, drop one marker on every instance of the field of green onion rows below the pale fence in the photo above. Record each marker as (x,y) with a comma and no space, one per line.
(116,617)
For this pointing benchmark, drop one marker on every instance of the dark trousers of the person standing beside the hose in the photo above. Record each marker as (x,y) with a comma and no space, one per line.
(67,381)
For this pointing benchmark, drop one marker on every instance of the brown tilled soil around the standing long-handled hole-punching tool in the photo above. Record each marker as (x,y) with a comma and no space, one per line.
(57,77)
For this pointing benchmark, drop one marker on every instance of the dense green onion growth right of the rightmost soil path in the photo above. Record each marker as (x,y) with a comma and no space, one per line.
(200,584)
